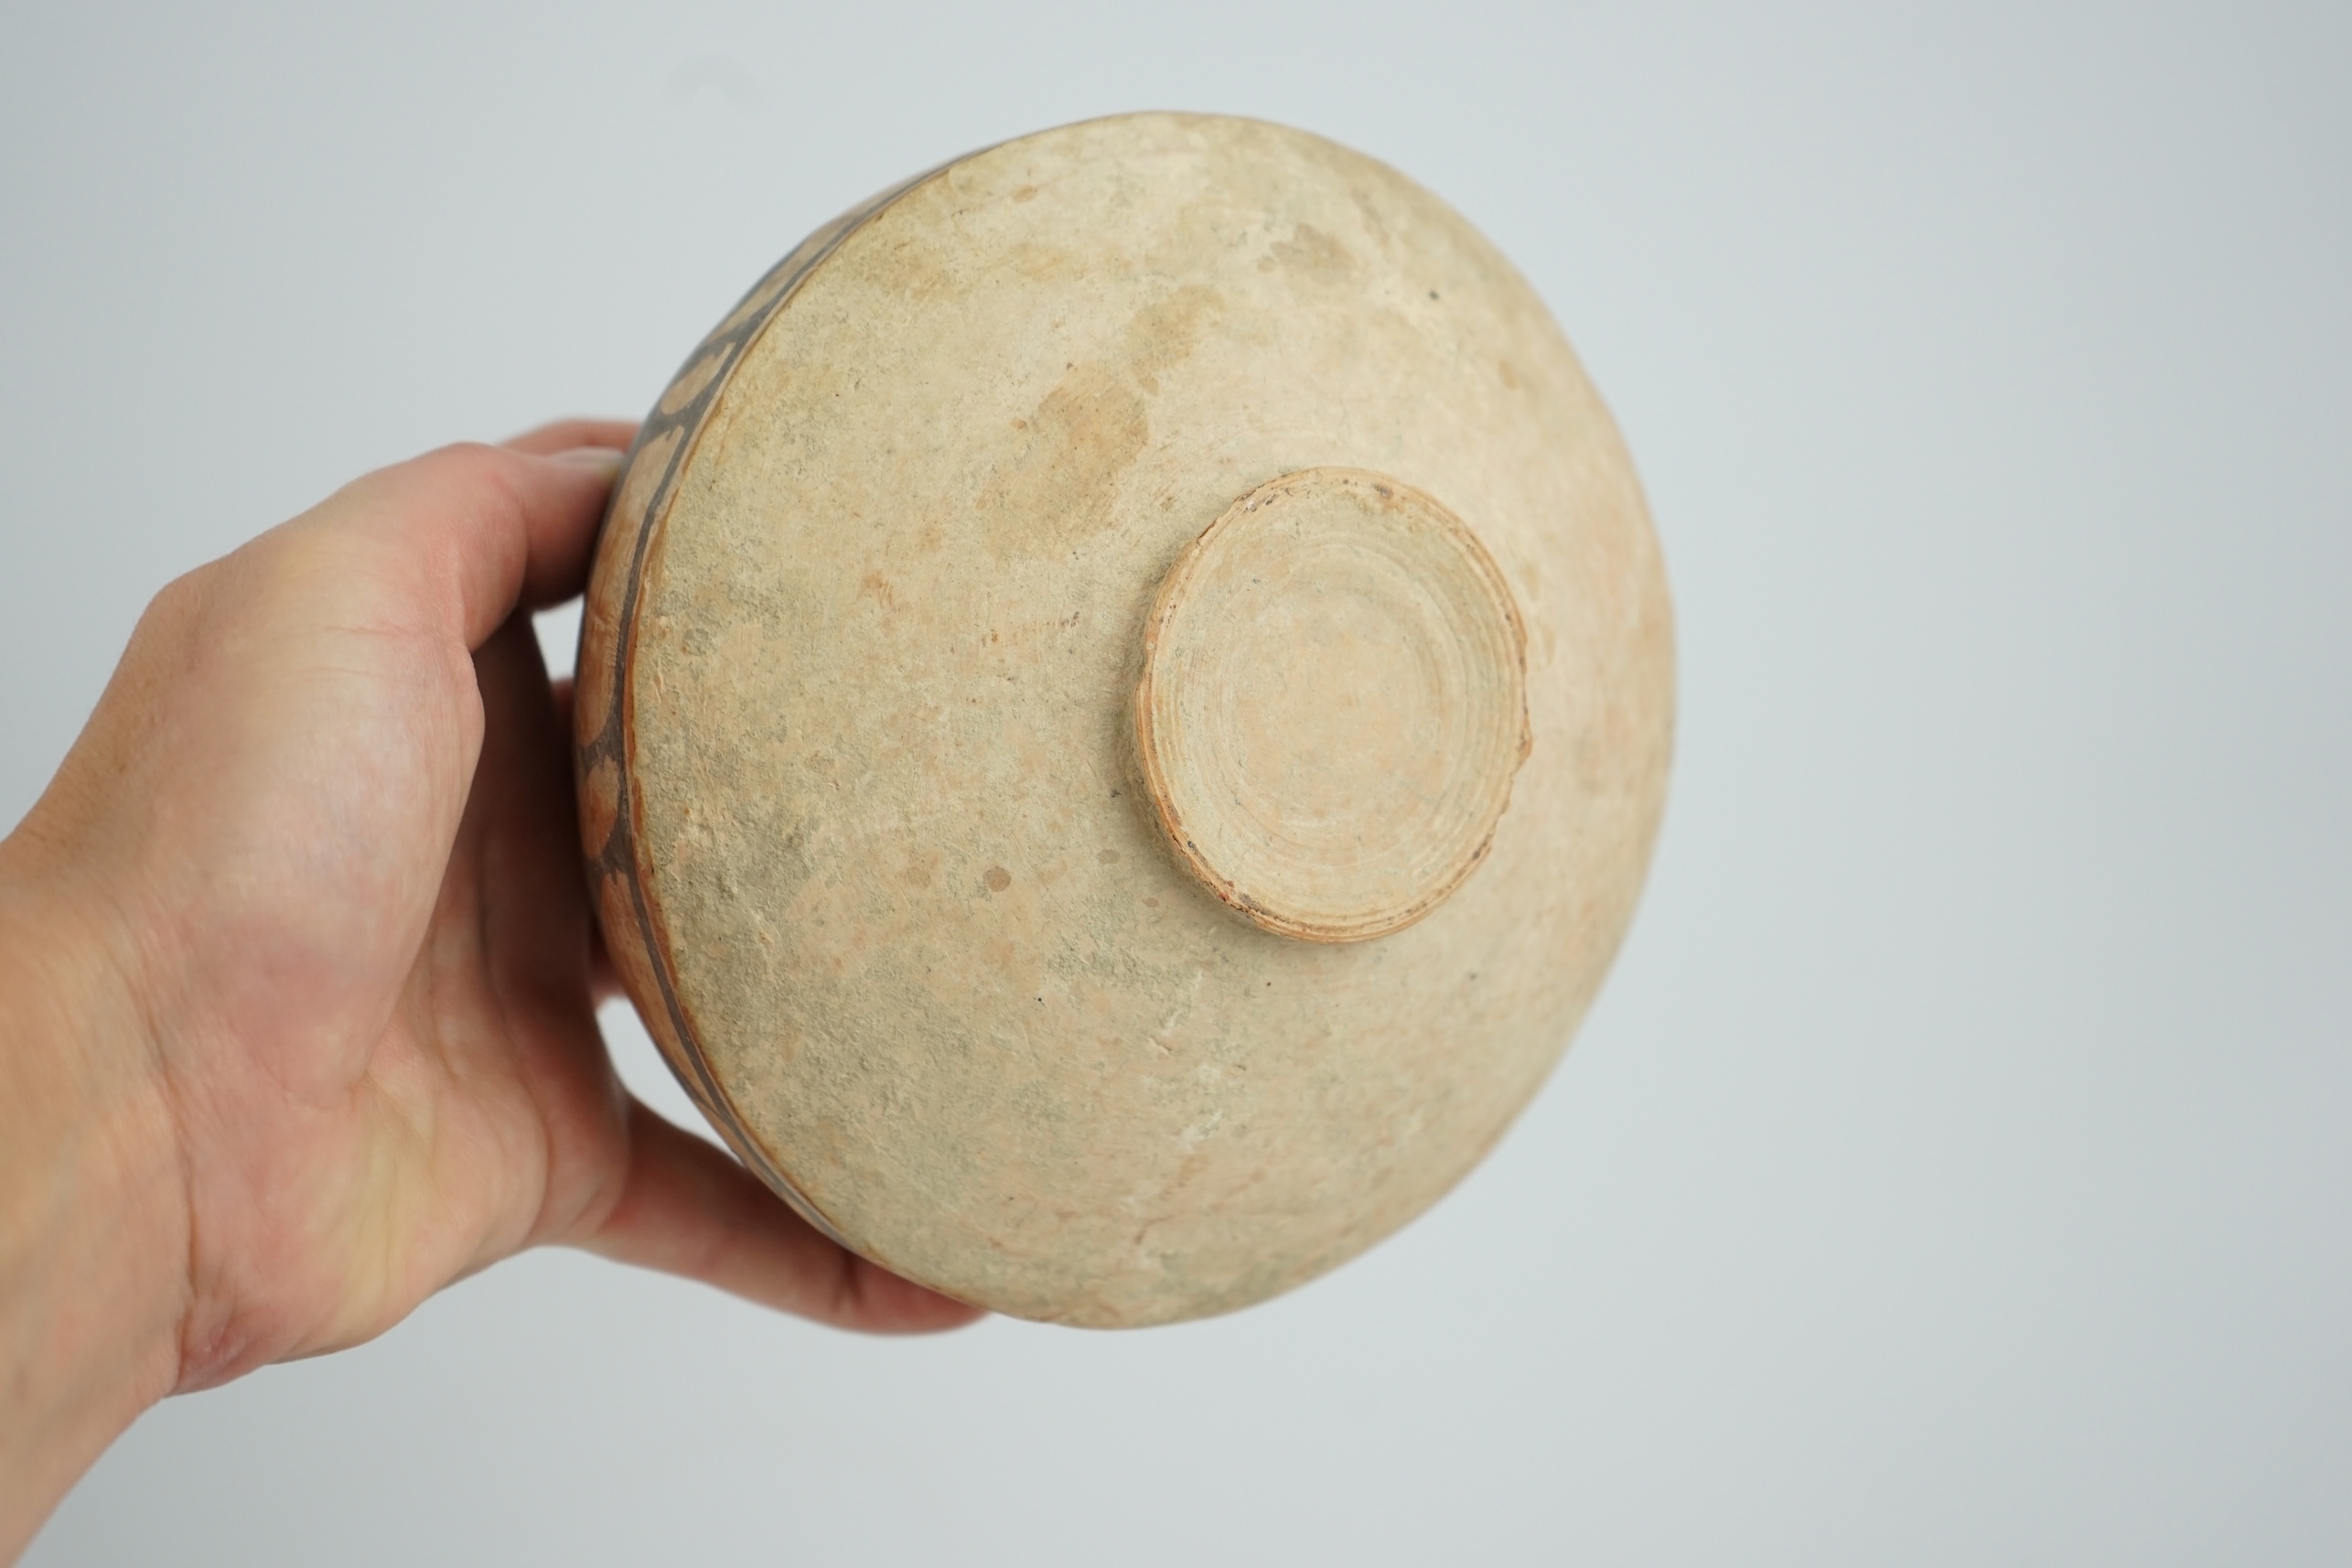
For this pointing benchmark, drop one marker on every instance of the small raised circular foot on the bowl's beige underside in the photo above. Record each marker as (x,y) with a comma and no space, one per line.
(1335,704)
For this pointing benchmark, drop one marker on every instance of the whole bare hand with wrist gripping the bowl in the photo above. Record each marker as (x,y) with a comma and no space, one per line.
(298,977)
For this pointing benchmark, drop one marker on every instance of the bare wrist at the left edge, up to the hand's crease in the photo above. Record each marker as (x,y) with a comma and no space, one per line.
(93,1221)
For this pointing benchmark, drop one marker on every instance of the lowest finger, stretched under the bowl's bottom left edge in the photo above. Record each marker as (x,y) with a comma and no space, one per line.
(690,1209)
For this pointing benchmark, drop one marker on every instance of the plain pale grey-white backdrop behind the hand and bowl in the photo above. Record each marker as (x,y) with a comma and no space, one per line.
(1958,1167)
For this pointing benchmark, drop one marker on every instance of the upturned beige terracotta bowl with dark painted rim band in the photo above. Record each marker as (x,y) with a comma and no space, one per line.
(1123,711)
